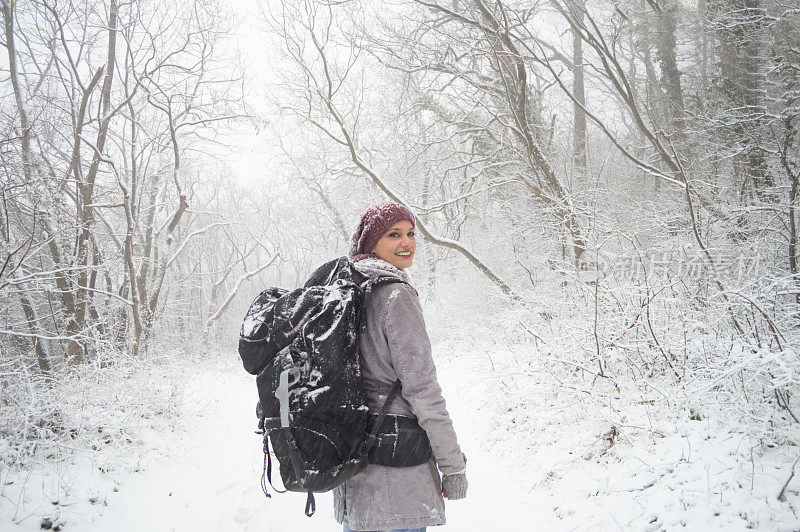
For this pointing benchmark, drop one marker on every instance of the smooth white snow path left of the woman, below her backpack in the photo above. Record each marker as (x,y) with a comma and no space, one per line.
(211,479)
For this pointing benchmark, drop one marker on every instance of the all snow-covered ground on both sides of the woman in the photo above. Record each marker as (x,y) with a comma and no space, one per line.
(541,456)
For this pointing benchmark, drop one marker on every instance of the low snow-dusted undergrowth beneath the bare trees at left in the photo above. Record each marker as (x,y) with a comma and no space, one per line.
(45,417)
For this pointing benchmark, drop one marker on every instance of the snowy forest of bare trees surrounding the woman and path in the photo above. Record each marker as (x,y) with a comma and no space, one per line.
(605,192)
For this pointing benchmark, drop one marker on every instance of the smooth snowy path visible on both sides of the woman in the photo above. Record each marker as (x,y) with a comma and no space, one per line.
(210,478)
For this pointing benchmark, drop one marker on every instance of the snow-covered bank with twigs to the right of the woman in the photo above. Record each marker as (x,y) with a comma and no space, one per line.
(577,462)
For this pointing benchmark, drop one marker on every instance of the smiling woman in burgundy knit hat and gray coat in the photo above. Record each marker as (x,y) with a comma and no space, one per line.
(395,346)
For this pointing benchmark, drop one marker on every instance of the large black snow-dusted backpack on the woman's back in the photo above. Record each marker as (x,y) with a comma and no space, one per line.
(304,347)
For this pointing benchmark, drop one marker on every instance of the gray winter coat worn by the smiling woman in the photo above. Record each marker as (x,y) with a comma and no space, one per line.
(396,346)
